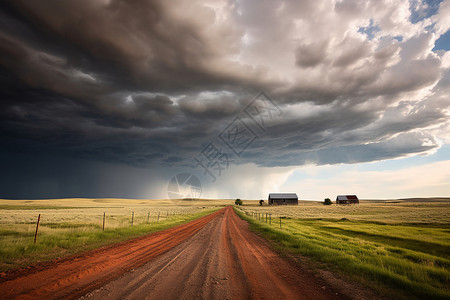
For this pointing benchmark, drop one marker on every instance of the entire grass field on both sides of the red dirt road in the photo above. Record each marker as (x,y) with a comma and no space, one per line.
(397,247)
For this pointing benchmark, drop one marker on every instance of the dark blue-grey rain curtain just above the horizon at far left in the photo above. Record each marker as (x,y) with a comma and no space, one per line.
(44,175)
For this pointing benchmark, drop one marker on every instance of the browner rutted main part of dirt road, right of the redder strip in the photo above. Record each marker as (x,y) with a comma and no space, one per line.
(224,260)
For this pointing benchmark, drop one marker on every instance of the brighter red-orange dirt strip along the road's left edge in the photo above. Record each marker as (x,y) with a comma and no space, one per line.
(75,276)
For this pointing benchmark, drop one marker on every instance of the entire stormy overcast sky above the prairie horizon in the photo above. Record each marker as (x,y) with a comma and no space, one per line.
(114,98)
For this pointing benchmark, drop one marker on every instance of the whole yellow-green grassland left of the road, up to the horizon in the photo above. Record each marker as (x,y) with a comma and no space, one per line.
(68,226)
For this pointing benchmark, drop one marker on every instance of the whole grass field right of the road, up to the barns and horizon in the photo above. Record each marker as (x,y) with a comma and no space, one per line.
(397,247)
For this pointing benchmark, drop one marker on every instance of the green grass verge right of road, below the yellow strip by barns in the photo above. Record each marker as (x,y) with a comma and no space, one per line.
(407,261)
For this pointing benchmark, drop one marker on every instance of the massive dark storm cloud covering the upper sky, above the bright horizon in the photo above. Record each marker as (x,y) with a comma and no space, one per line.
(149,83)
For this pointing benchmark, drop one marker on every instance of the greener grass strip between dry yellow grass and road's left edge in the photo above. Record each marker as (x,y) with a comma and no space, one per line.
(59,239)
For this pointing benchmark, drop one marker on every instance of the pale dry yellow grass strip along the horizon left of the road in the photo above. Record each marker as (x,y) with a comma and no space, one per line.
(82,210)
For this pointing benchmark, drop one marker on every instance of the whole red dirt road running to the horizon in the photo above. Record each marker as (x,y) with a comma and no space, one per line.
(214,257)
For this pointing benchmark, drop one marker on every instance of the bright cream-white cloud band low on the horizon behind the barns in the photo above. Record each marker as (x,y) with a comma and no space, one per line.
(428,180)
